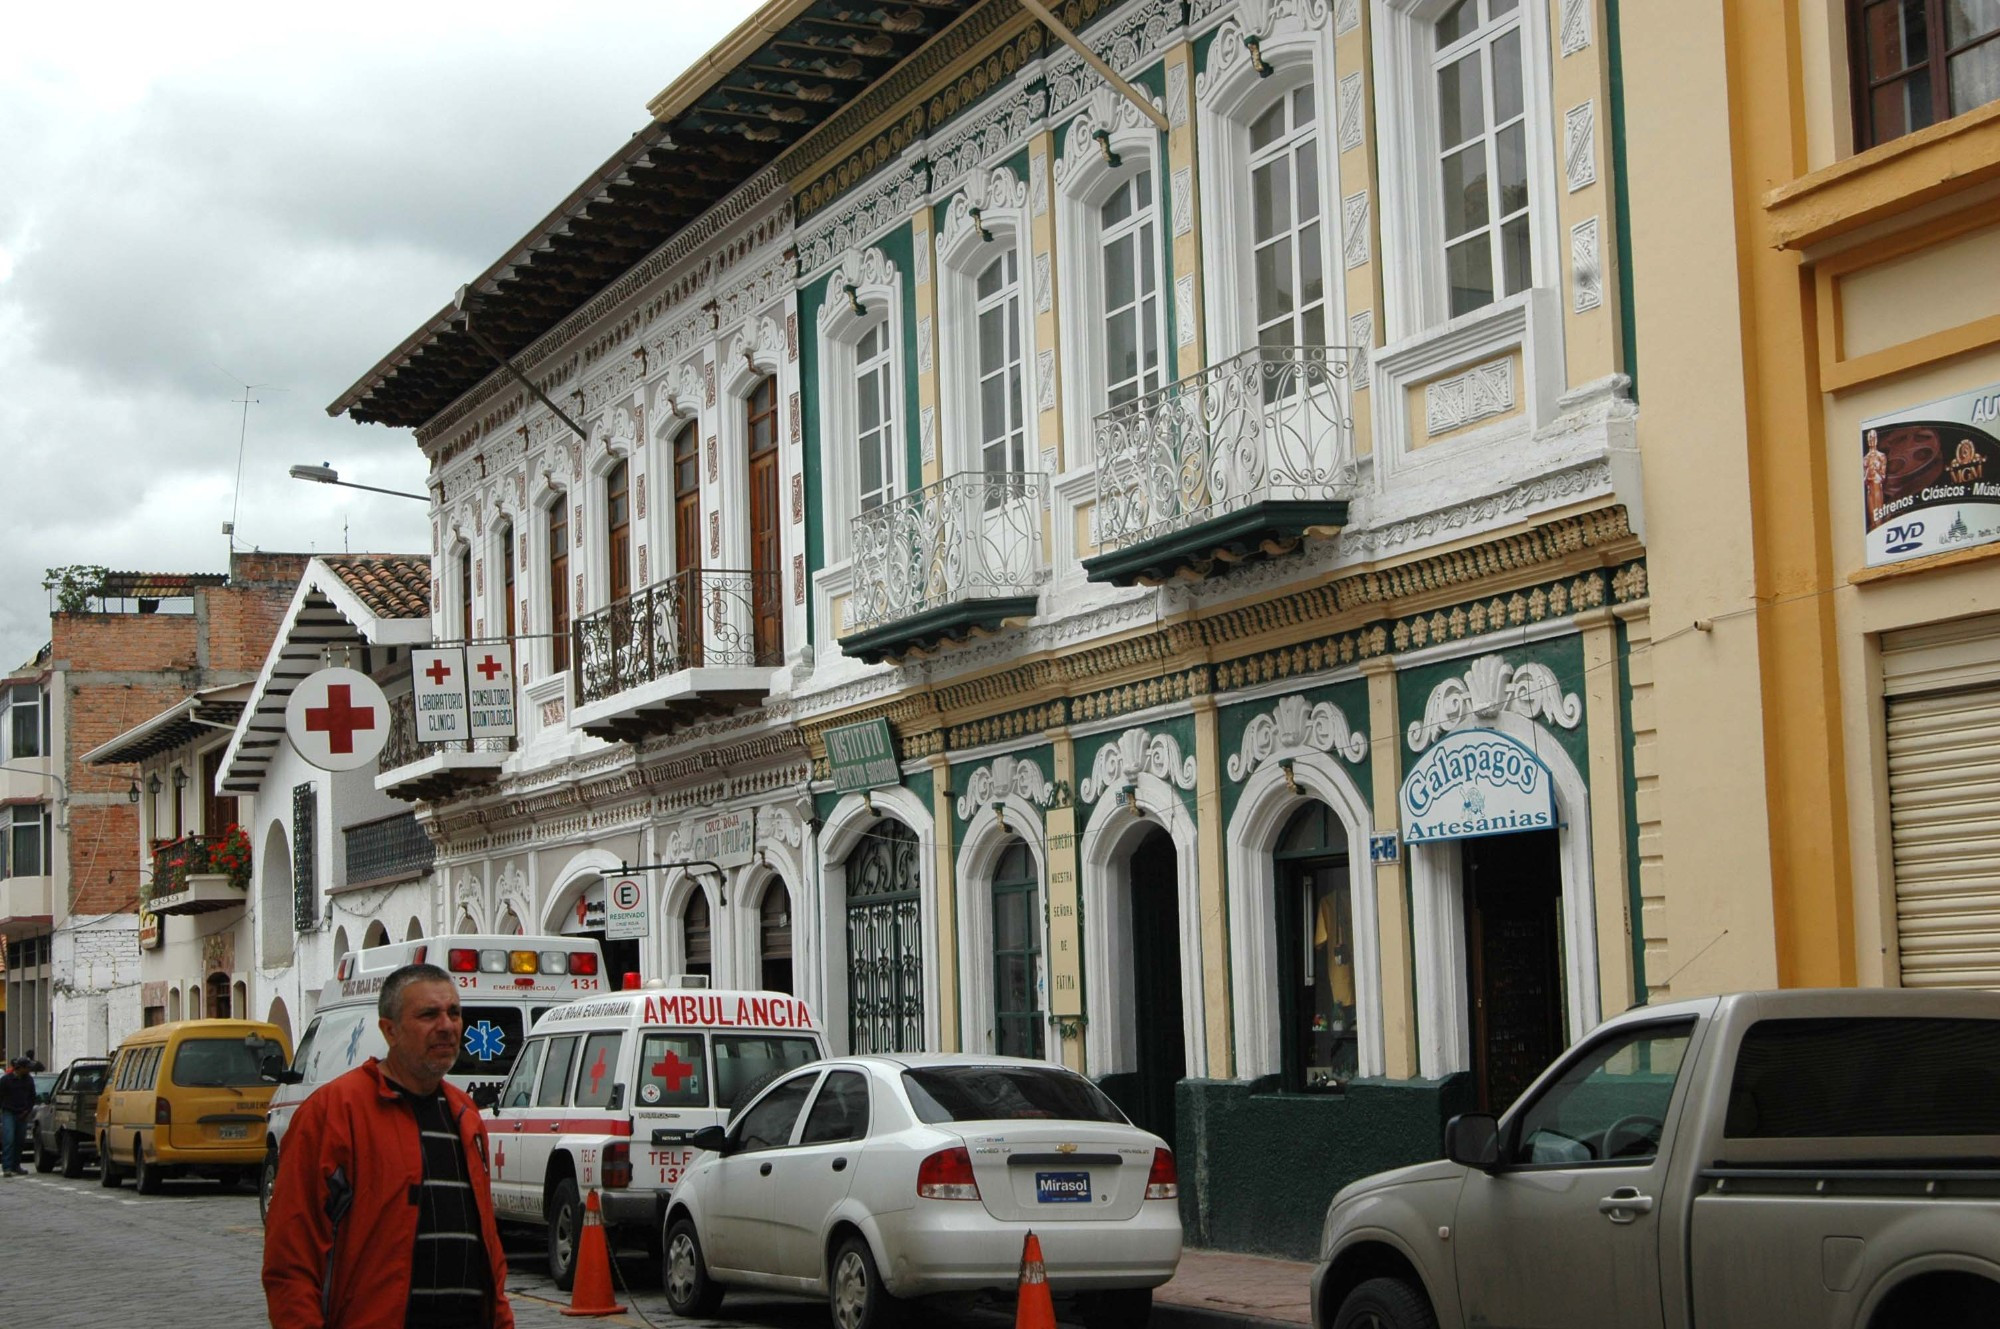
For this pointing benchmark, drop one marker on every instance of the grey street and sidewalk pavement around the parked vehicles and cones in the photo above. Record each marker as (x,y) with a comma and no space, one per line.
(189,1258)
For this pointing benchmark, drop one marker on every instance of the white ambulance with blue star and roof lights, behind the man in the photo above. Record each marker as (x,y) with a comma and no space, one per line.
(503,986)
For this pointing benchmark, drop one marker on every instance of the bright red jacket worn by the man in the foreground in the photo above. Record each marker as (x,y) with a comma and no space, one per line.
(343,1228)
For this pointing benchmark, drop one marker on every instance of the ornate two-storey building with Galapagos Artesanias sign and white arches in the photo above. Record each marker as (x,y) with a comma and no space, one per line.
(1143,525)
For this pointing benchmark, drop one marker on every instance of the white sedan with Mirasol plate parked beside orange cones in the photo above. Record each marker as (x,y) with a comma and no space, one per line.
(871,1180)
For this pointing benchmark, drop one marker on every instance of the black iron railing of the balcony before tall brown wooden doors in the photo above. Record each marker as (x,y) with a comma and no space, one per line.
(695,619)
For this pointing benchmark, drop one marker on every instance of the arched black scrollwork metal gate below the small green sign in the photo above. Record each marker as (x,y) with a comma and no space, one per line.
(885,944)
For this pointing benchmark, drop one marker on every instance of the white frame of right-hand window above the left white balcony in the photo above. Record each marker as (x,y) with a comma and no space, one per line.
(963,255)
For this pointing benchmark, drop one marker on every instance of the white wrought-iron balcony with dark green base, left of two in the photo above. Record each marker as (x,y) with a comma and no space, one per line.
(951,561)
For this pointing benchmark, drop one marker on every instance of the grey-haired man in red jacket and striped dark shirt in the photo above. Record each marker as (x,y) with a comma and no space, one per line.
(383,1212)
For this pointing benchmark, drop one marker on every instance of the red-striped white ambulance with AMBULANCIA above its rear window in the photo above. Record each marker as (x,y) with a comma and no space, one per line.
(607,1092)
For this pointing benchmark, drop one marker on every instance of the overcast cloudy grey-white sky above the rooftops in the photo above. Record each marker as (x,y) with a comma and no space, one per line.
(205,197)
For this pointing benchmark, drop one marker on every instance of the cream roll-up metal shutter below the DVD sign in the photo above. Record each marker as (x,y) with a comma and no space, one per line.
(1945,800)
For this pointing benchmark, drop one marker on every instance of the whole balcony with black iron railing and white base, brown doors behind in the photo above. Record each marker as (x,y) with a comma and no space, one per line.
(697,643)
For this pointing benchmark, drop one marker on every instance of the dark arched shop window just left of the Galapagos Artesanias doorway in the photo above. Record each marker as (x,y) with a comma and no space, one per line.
(1315,952)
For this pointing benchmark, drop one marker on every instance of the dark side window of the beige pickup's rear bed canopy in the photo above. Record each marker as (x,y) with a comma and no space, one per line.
(1833,1078)
